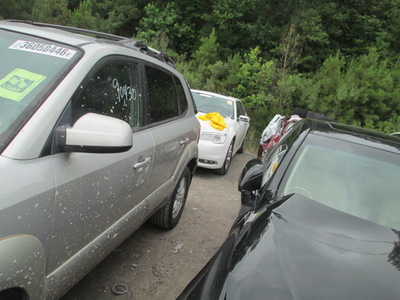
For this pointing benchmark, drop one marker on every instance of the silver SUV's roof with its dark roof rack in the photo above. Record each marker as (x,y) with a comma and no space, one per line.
(78,37)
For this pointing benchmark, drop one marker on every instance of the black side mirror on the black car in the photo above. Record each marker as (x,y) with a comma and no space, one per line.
(250,180)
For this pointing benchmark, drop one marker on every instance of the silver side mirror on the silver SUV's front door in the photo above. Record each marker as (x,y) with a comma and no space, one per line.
(96,133)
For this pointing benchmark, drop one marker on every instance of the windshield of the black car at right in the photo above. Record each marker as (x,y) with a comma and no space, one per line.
(356,179)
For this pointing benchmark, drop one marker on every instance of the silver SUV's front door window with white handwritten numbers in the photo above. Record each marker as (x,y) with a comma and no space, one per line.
(112,90)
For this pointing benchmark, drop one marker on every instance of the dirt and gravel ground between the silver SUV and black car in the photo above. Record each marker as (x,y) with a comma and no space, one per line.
(158,264)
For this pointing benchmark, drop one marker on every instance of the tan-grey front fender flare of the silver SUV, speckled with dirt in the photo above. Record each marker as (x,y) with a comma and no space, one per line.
(22,264)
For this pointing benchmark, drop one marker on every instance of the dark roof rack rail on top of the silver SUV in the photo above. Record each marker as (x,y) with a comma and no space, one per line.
(120,40)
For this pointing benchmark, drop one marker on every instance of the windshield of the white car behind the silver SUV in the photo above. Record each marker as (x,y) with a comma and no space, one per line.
(210,103)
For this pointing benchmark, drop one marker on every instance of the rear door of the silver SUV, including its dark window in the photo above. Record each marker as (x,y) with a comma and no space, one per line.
(170,130)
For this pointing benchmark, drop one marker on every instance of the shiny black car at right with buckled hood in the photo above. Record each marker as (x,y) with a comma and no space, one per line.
(320,219)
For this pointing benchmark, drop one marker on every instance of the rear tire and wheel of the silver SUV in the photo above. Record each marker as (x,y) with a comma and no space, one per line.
(168,215)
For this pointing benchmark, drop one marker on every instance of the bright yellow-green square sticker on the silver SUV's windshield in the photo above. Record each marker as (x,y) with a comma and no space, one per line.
(19,83)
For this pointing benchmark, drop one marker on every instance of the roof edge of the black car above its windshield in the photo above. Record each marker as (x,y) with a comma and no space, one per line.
(353,134)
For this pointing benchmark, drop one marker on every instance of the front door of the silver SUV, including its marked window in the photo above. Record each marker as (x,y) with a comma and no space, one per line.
(94,191)
